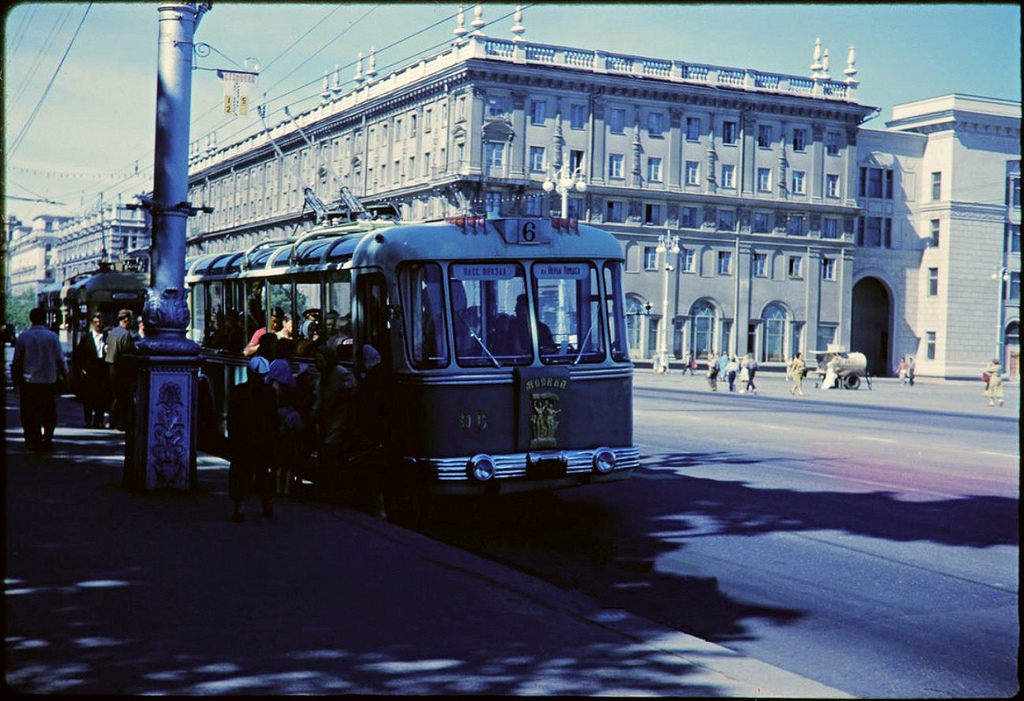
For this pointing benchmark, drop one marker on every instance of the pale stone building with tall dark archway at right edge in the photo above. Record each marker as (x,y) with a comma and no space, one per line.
(937,270)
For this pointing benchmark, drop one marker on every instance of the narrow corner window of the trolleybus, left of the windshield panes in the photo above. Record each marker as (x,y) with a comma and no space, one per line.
(421,288)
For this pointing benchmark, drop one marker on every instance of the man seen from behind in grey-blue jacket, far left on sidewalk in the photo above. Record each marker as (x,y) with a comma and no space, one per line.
(38,371)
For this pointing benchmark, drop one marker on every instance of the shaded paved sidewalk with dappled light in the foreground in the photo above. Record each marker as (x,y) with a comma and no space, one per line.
(108,592)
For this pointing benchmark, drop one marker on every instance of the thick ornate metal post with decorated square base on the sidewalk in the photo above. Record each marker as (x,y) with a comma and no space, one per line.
(160,445)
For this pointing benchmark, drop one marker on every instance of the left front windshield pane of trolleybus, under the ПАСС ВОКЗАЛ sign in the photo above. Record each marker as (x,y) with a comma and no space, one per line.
(485,316)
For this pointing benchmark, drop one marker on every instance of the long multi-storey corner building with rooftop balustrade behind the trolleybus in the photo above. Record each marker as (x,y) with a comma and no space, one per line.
(755,174)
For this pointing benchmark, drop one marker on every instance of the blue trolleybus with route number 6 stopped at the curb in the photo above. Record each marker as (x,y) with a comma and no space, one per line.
(504,365)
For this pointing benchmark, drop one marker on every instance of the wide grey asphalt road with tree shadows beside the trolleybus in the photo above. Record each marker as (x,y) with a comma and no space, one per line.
(869,541)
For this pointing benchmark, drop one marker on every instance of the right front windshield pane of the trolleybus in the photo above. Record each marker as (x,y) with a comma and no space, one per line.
(569,312)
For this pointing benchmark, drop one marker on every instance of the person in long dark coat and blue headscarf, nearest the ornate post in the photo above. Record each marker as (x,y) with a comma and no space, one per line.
(252,423)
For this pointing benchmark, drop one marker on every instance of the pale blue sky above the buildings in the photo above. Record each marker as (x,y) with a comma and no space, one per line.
(98,119)
